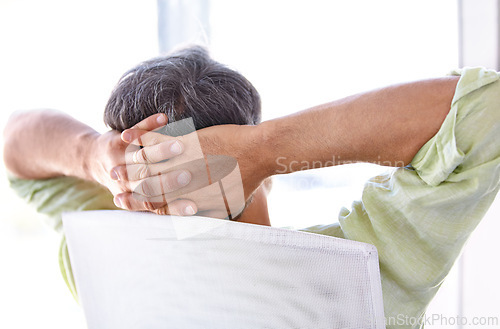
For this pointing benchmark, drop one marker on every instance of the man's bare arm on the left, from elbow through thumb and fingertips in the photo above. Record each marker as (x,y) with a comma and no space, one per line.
(41,144)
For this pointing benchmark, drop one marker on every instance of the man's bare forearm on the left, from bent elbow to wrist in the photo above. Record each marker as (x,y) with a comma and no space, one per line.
(46,143)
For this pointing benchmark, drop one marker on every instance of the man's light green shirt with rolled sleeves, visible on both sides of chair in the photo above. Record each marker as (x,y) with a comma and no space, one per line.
(419,217)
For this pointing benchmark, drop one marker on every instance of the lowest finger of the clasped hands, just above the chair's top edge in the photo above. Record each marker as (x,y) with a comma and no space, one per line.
(180,207)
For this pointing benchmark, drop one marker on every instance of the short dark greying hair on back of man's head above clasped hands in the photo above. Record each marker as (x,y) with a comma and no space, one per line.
(187,83)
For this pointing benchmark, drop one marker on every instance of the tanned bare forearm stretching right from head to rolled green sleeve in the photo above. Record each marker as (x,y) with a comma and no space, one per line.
(386,126)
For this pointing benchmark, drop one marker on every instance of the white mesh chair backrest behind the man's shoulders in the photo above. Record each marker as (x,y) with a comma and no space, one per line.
(140,270)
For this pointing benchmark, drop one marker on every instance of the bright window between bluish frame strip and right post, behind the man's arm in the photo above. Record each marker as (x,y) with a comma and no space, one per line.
(299,54)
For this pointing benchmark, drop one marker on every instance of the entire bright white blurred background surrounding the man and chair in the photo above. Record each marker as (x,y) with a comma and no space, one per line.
(68,55)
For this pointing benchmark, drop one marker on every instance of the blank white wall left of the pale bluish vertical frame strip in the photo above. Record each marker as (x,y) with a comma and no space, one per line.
(65,55)
